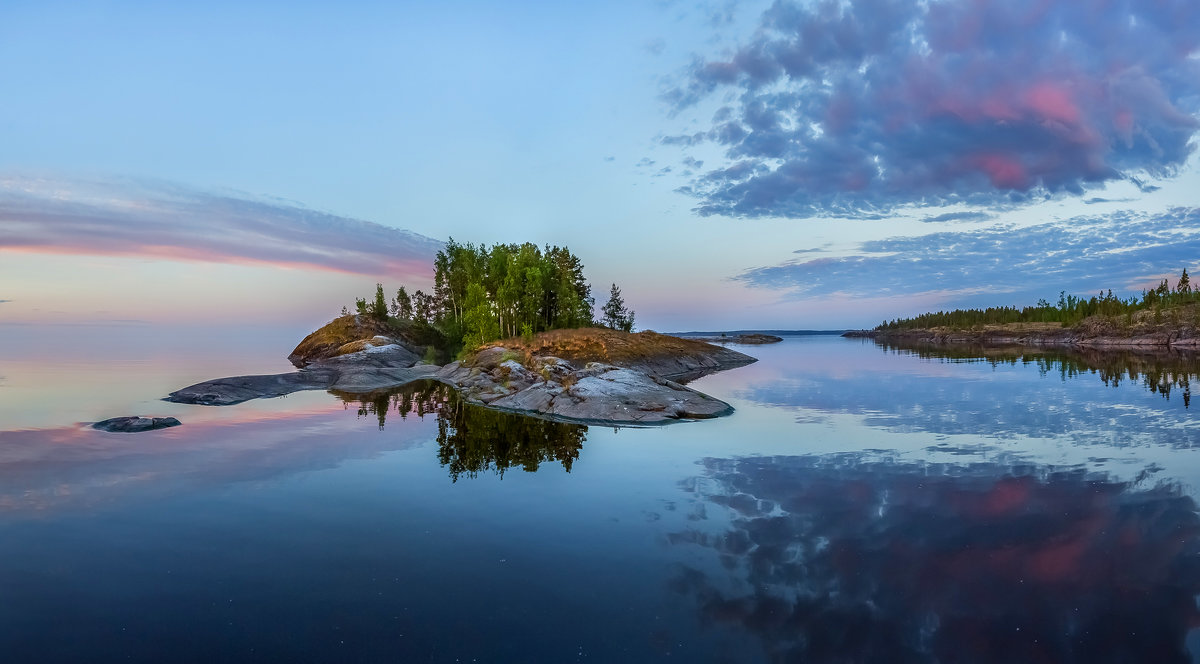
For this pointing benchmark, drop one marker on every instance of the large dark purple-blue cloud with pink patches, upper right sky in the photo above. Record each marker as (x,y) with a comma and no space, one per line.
(856,109)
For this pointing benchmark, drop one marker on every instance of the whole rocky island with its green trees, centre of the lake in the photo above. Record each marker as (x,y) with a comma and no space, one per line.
(520,324)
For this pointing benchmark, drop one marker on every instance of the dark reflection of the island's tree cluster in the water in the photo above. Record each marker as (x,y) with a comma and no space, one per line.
(473,439)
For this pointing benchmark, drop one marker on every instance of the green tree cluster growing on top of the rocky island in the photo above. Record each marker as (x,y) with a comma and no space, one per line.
(483,294)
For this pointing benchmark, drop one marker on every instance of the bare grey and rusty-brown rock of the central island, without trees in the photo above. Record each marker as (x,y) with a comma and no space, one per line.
(587,375)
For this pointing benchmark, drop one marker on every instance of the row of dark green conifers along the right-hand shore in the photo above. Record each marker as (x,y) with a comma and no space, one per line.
(1070,309)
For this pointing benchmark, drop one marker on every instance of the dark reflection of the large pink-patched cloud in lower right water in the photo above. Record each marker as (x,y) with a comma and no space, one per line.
(842,560)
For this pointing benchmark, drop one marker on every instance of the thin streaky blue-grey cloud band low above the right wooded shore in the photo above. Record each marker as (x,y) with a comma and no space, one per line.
(1082,255)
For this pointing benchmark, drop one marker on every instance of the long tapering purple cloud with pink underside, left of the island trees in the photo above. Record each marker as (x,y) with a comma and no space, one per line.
(166,222)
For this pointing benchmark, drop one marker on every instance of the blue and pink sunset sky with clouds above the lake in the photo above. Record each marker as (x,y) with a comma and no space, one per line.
(730,165)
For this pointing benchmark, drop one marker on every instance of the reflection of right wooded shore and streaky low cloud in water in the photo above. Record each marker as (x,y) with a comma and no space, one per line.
(1088,399)
